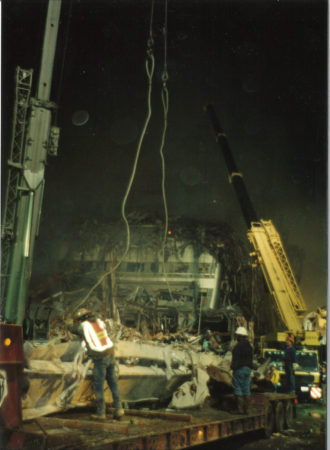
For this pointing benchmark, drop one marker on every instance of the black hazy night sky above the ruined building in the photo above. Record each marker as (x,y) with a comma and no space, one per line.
(263,64)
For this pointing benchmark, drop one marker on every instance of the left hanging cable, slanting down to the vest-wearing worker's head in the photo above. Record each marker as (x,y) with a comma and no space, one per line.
(150,68)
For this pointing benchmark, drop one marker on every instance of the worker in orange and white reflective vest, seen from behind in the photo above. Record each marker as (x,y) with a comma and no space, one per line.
(100,349)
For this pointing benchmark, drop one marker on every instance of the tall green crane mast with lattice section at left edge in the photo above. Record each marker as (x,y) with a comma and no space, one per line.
(33,138)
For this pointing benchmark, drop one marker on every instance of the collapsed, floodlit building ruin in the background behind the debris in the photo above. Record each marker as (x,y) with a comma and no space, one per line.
(200,280)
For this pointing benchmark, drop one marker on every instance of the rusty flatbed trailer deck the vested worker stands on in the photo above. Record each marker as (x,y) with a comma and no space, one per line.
(160,429)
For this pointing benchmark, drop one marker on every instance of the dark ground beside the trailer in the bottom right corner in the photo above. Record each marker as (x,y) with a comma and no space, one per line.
(309,431)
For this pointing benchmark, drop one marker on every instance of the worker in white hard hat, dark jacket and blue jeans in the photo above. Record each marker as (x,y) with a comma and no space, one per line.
(242,366)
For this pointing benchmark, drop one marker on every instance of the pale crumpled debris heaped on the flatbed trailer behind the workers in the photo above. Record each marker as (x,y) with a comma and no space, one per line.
(179,369)
